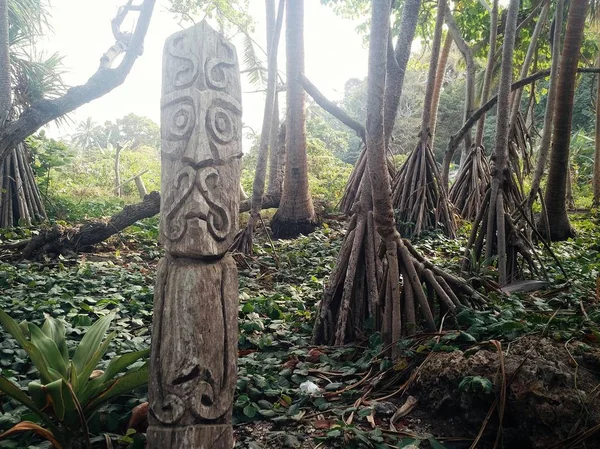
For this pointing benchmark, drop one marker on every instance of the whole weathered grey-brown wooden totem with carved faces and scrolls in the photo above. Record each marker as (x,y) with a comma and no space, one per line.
(193,365)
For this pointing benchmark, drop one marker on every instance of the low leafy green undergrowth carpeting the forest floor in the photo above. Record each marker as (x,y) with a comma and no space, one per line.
(279,290)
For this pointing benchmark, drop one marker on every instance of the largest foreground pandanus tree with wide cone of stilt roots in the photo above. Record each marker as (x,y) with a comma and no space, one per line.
(388,291)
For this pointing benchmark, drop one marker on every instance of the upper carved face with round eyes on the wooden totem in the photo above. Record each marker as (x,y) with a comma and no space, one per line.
(201,143)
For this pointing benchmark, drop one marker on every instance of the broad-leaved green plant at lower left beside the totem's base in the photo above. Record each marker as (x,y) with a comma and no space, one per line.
(69,391)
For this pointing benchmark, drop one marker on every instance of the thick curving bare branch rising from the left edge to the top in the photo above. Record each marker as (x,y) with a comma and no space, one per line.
(101,82)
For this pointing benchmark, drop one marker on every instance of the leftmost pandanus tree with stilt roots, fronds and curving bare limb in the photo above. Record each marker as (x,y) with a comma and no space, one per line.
(23,115)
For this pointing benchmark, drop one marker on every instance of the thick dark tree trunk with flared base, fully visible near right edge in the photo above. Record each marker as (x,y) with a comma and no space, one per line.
(555,197)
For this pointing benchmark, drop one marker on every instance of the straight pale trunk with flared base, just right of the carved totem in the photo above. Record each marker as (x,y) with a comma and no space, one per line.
(296,214)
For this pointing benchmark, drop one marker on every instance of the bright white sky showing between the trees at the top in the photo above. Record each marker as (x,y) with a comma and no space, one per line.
(334,53)
